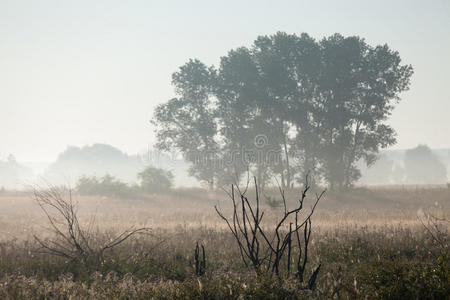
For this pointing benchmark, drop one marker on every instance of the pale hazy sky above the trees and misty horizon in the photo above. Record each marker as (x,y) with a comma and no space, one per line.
(80,72)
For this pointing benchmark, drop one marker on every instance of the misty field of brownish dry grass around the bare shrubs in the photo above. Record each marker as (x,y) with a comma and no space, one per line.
(371,243)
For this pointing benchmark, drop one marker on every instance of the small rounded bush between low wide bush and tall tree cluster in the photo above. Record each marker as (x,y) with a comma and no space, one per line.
(154,180)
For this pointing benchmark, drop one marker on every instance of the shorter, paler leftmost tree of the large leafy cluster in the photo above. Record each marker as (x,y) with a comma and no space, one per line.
(188,122)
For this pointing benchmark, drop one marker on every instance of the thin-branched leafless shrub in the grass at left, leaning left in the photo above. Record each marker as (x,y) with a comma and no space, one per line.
(70,240)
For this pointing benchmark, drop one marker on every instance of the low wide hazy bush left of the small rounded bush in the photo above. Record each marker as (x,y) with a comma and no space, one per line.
(104,186)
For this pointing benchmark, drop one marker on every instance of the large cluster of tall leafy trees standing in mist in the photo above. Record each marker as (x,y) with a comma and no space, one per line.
(285,106)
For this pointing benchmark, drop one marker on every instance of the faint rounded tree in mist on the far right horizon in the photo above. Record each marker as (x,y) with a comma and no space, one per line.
(423,166)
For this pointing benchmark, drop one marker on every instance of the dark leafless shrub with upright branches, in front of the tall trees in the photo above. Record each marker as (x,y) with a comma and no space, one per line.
(272,252)
